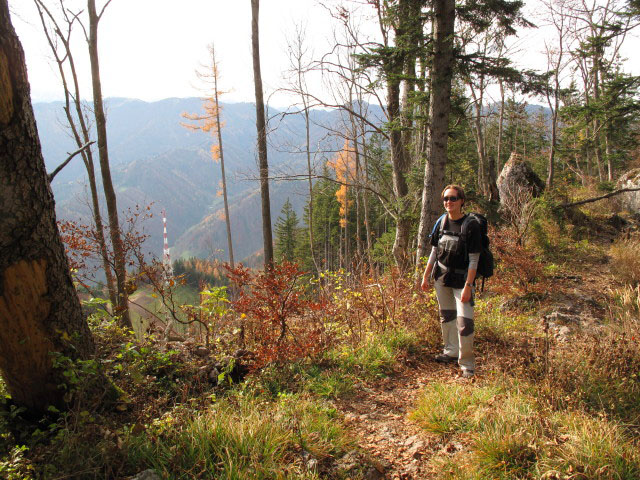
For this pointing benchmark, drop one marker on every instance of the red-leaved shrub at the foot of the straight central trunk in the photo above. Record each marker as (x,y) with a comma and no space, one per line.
(279,322)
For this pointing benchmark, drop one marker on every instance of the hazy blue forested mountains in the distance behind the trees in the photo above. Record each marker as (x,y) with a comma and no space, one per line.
(154,159)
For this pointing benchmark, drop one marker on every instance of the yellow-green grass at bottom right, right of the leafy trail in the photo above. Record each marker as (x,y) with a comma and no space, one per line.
(510,434)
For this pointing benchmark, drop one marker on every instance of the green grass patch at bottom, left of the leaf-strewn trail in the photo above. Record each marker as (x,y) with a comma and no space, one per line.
(241,437)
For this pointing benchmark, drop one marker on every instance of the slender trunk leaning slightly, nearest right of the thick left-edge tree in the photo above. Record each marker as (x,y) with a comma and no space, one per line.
(109,192)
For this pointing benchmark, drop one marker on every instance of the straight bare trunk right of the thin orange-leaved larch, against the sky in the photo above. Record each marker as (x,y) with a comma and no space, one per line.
(262,138)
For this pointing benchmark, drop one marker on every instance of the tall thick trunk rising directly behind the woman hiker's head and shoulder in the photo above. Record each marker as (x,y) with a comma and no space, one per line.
(440,107)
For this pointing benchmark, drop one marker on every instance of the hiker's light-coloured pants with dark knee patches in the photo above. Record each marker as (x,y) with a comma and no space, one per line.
(458,335)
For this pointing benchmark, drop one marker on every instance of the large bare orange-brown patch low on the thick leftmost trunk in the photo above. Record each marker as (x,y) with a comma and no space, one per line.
(25,359)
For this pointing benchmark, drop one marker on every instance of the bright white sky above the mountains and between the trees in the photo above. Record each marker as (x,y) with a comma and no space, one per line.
(149,49)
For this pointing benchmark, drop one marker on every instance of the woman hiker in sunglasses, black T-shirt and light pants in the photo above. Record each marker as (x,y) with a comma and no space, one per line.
(451,269)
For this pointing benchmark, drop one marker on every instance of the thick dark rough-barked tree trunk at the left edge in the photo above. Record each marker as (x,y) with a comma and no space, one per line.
(39,310)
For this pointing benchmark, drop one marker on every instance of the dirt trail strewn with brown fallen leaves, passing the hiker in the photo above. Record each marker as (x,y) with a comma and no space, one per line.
(378,411)
